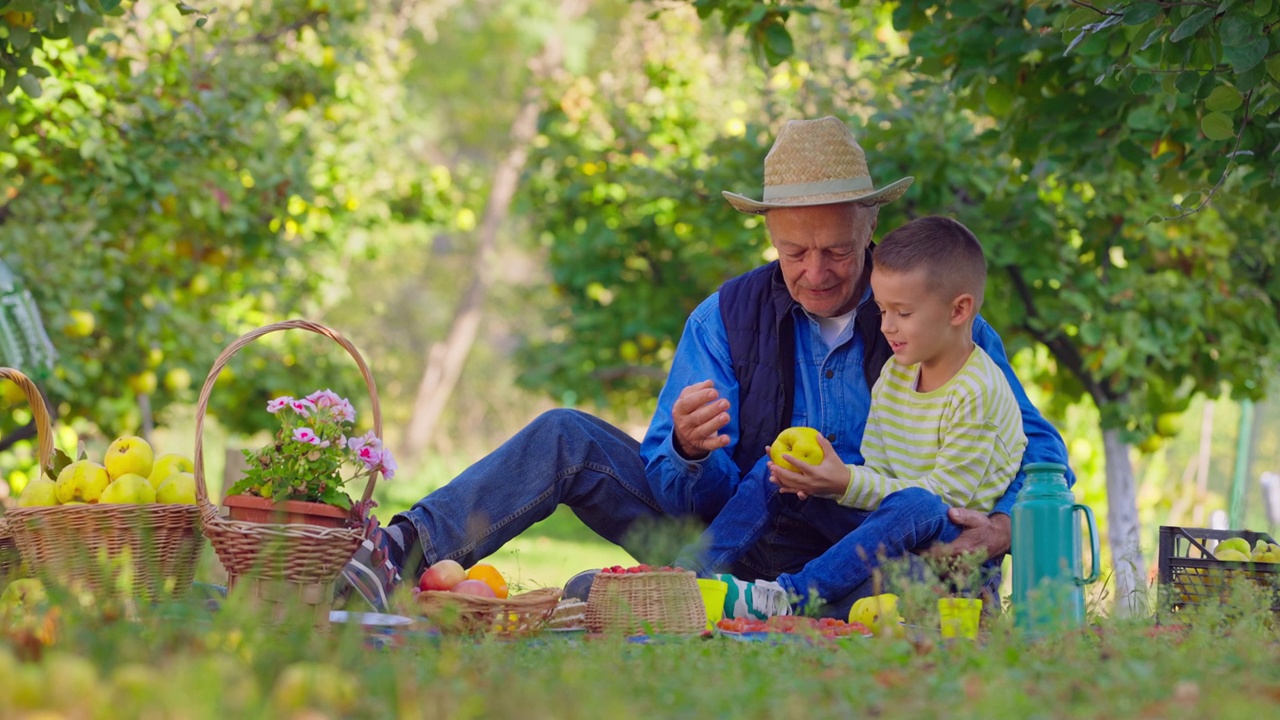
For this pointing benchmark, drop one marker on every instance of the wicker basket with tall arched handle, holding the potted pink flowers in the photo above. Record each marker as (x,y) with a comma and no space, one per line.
(285,566)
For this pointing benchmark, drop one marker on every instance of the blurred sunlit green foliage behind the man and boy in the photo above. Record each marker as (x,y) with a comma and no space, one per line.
(176,175)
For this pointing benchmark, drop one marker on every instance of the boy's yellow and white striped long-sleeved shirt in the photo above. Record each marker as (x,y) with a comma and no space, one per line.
(963,441)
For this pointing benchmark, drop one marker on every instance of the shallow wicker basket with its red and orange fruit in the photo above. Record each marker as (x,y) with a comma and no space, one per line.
(479,601)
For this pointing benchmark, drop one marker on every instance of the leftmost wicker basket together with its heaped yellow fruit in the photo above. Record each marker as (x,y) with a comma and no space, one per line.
(127,523)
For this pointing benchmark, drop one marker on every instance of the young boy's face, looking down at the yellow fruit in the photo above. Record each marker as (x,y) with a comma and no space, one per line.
(915,320)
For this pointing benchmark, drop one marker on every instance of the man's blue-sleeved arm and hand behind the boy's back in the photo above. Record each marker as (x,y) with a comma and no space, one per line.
(993,534)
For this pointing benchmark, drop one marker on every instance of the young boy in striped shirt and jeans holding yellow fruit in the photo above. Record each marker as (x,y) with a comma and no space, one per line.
(944,431)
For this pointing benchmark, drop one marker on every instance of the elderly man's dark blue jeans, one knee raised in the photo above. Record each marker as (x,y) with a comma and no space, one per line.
(575,459)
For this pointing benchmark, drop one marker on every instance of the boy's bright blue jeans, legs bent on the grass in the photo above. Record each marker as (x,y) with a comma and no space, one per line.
(908,521)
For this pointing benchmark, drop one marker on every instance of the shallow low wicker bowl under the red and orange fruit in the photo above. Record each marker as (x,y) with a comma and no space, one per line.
(465,614)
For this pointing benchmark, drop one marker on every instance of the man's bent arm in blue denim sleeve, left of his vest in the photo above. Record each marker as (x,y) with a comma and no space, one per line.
(698,480)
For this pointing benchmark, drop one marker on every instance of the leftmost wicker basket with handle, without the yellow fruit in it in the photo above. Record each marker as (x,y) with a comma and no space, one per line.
(150,550)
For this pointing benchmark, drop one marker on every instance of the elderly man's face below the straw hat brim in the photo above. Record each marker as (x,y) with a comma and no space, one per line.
(821,250)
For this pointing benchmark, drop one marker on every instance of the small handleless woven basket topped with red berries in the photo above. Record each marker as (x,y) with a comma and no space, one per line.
(666,603)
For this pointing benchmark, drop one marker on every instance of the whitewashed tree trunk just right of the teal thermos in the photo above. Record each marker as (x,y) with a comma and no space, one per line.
(1123,528)
